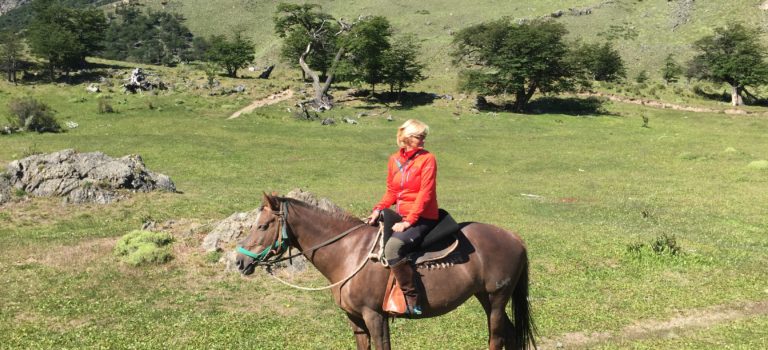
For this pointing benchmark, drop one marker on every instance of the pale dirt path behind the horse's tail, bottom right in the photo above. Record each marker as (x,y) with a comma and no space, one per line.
(688,321)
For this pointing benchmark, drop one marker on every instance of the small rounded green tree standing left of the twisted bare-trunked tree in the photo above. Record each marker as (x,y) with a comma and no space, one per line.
(230,55)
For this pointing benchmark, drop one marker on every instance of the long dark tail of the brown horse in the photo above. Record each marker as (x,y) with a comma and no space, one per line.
(524,328)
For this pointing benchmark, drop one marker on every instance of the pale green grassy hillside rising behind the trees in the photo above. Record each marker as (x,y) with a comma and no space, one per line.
(645,31)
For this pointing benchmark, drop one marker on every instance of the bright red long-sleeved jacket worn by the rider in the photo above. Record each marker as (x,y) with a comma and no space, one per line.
(412,188)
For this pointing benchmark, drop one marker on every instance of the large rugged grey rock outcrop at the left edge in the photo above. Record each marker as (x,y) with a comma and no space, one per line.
(81,177)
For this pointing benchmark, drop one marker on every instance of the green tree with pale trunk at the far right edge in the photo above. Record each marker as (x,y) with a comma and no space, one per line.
(733,55)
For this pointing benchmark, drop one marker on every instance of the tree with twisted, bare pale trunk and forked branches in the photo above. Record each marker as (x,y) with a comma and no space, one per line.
(321,32)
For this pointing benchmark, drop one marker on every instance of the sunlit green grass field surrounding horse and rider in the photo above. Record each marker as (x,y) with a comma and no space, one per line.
(589,194)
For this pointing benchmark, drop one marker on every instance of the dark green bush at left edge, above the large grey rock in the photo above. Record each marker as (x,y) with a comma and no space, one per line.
(32,115)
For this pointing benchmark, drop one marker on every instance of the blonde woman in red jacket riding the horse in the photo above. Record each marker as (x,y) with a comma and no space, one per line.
(411,186)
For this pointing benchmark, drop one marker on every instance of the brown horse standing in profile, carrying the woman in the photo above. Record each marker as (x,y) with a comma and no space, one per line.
(493,268)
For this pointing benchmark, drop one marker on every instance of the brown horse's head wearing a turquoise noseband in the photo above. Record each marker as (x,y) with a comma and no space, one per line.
(266,239)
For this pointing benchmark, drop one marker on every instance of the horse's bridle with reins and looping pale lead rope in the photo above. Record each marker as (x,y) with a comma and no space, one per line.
(281,244)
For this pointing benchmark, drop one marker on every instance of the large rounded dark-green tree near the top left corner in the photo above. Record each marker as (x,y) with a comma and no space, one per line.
(65,36)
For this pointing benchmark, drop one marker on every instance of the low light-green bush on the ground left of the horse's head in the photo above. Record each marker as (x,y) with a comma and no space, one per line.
(144,247)
